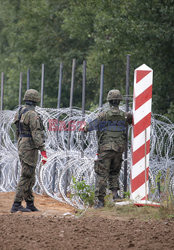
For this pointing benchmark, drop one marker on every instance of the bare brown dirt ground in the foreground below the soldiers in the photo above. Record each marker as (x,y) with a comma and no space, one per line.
(59,226)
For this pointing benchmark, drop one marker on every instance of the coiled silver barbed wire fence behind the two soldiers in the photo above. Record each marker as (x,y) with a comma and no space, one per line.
(68,157)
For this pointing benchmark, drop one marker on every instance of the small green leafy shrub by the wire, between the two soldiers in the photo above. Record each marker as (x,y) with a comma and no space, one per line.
(84,191)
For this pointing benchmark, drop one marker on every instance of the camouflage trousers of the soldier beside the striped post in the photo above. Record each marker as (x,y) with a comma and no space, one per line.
(107,169)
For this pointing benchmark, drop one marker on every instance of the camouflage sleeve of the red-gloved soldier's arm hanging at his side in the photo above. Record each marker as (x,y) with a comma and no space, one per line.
(37,130)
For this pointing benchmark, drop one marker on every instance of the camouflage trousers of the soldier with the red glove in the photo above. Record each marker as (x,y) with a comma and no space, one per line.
(26,183)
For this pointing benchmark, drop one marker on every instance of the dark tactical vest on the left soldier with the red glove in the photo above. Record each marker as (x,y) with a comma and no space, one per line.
(24,130)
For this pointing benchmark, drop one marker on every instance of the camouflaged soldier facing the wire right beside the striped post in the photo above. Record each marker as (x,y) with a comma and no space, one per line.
(111,132)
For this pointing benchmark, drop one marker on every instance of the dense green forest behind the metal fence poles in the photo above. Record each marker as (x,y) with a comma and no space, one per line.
(36,32)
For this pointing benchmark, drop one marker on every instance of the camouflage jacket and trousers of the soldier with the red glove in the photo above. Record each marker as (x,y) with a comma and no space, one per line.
(30,132)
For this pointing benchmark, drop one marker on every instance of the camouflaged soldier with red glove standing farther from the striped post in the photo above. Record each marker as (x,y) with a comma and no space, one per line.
(30,134)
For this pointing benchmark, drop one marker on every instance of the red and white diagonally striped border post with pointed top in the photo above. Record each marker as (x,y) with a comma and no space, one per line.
(141,132)
